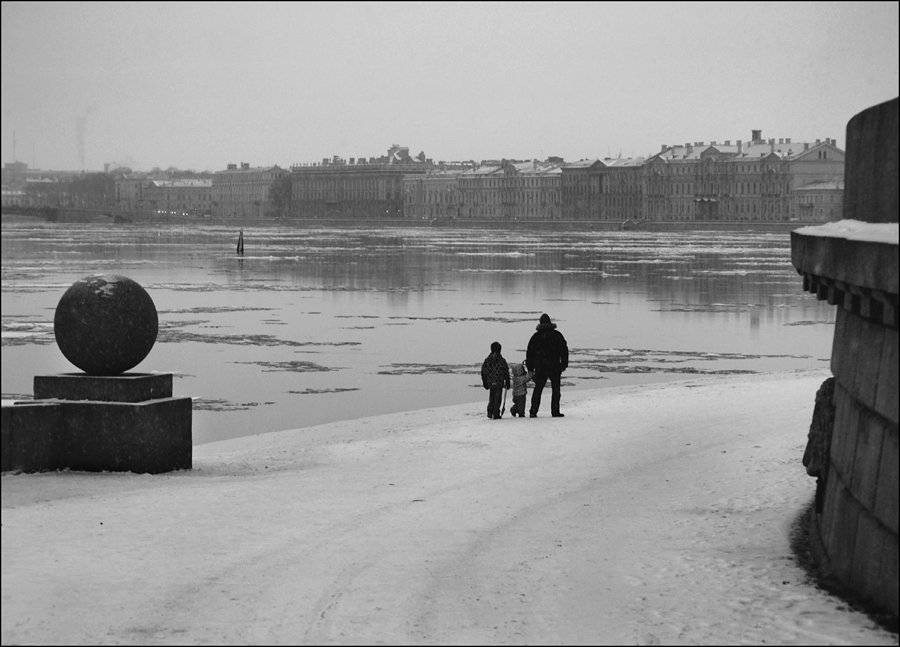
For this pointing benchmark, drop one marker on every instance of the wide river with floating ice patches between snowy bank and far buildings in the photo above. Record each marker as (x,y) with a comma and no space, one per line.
(317,325)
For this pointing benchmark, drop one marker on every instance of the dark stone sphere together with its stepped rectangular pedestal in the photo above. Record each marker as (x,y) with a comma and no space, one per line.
(103,419)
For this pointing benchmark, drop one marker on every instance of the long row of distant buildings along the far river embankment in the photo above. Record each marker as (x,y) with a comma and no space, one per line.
(758,180)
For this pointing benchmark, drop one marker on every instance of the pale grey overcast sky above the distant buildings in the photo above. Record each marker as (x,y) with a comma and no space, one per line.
(200,85)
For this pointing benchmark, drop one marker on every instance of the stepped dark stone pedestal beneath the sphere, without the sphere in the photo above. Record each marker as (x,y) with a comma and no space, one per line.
(127,422)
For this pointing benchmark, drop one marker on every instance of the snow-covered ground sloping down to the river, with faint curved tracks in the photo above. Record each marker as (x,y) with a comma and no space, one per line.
(656,514)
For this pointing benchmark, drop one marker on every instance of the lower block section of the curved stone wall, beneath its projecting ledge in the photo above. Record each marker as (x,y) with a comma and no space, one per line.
(859,523)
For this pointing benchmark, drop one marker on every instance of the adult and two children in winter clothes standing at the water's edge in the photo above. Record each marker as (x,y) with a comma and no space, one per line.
(546,357)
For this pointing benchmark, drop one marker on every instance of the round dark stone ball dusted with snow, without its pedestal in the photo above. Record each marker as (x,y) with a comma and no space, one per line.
(105,324)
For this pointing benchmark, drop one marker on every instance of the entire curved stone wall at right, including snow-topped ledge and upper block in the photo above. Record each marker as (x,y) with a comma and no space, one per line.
(853,264)
